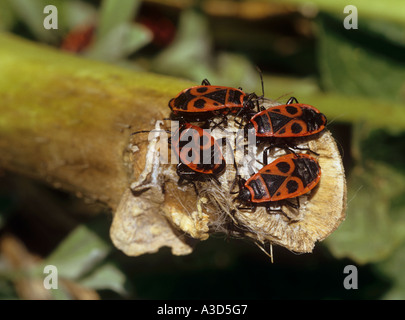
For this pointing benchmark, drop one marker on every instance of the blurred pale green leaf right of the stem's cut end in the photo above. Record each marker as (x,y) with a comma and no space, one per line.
(374,225)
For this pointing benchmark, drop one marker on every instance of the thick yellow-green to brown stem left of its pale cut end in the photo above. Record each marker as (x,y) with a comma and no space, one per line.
(66,120)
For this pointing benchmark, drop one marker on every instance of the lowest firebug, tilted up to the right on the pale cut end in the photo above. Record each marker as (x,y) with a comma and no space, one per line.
(287,177)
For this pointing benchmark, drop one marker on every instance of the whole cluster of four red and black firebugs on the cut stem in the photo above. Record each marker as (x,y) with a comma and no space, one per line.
(287,177)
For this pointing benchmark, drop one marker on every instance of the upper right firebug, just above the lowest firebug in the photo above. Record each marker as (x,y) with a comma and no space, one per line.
(291,120)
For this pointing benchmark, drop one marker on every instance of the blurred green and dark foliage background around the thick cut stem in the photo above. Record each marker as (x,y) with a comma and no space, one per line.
(356,77)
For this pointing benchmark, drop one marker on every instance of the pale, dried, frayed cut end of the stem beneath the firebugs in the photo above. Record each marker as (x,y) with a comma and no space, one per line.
(157,211)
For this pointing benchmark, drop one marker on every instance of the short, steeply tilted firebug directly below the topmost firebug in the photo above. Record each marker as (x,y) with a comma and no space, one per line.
(198,153)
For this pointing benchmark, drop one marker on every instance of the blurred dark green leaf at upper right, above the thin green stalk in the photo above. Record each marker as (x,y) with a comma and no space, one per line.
(363,62)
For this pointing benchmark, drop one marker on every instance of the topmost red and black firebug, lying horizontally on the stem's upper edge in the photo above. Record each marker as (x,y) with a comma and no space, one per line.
(206,101)
